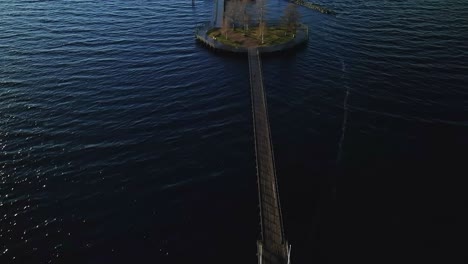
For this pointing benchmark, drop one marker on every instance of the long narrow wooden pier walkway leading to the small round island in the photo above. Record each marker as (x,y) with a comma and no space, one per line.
(272,246)
